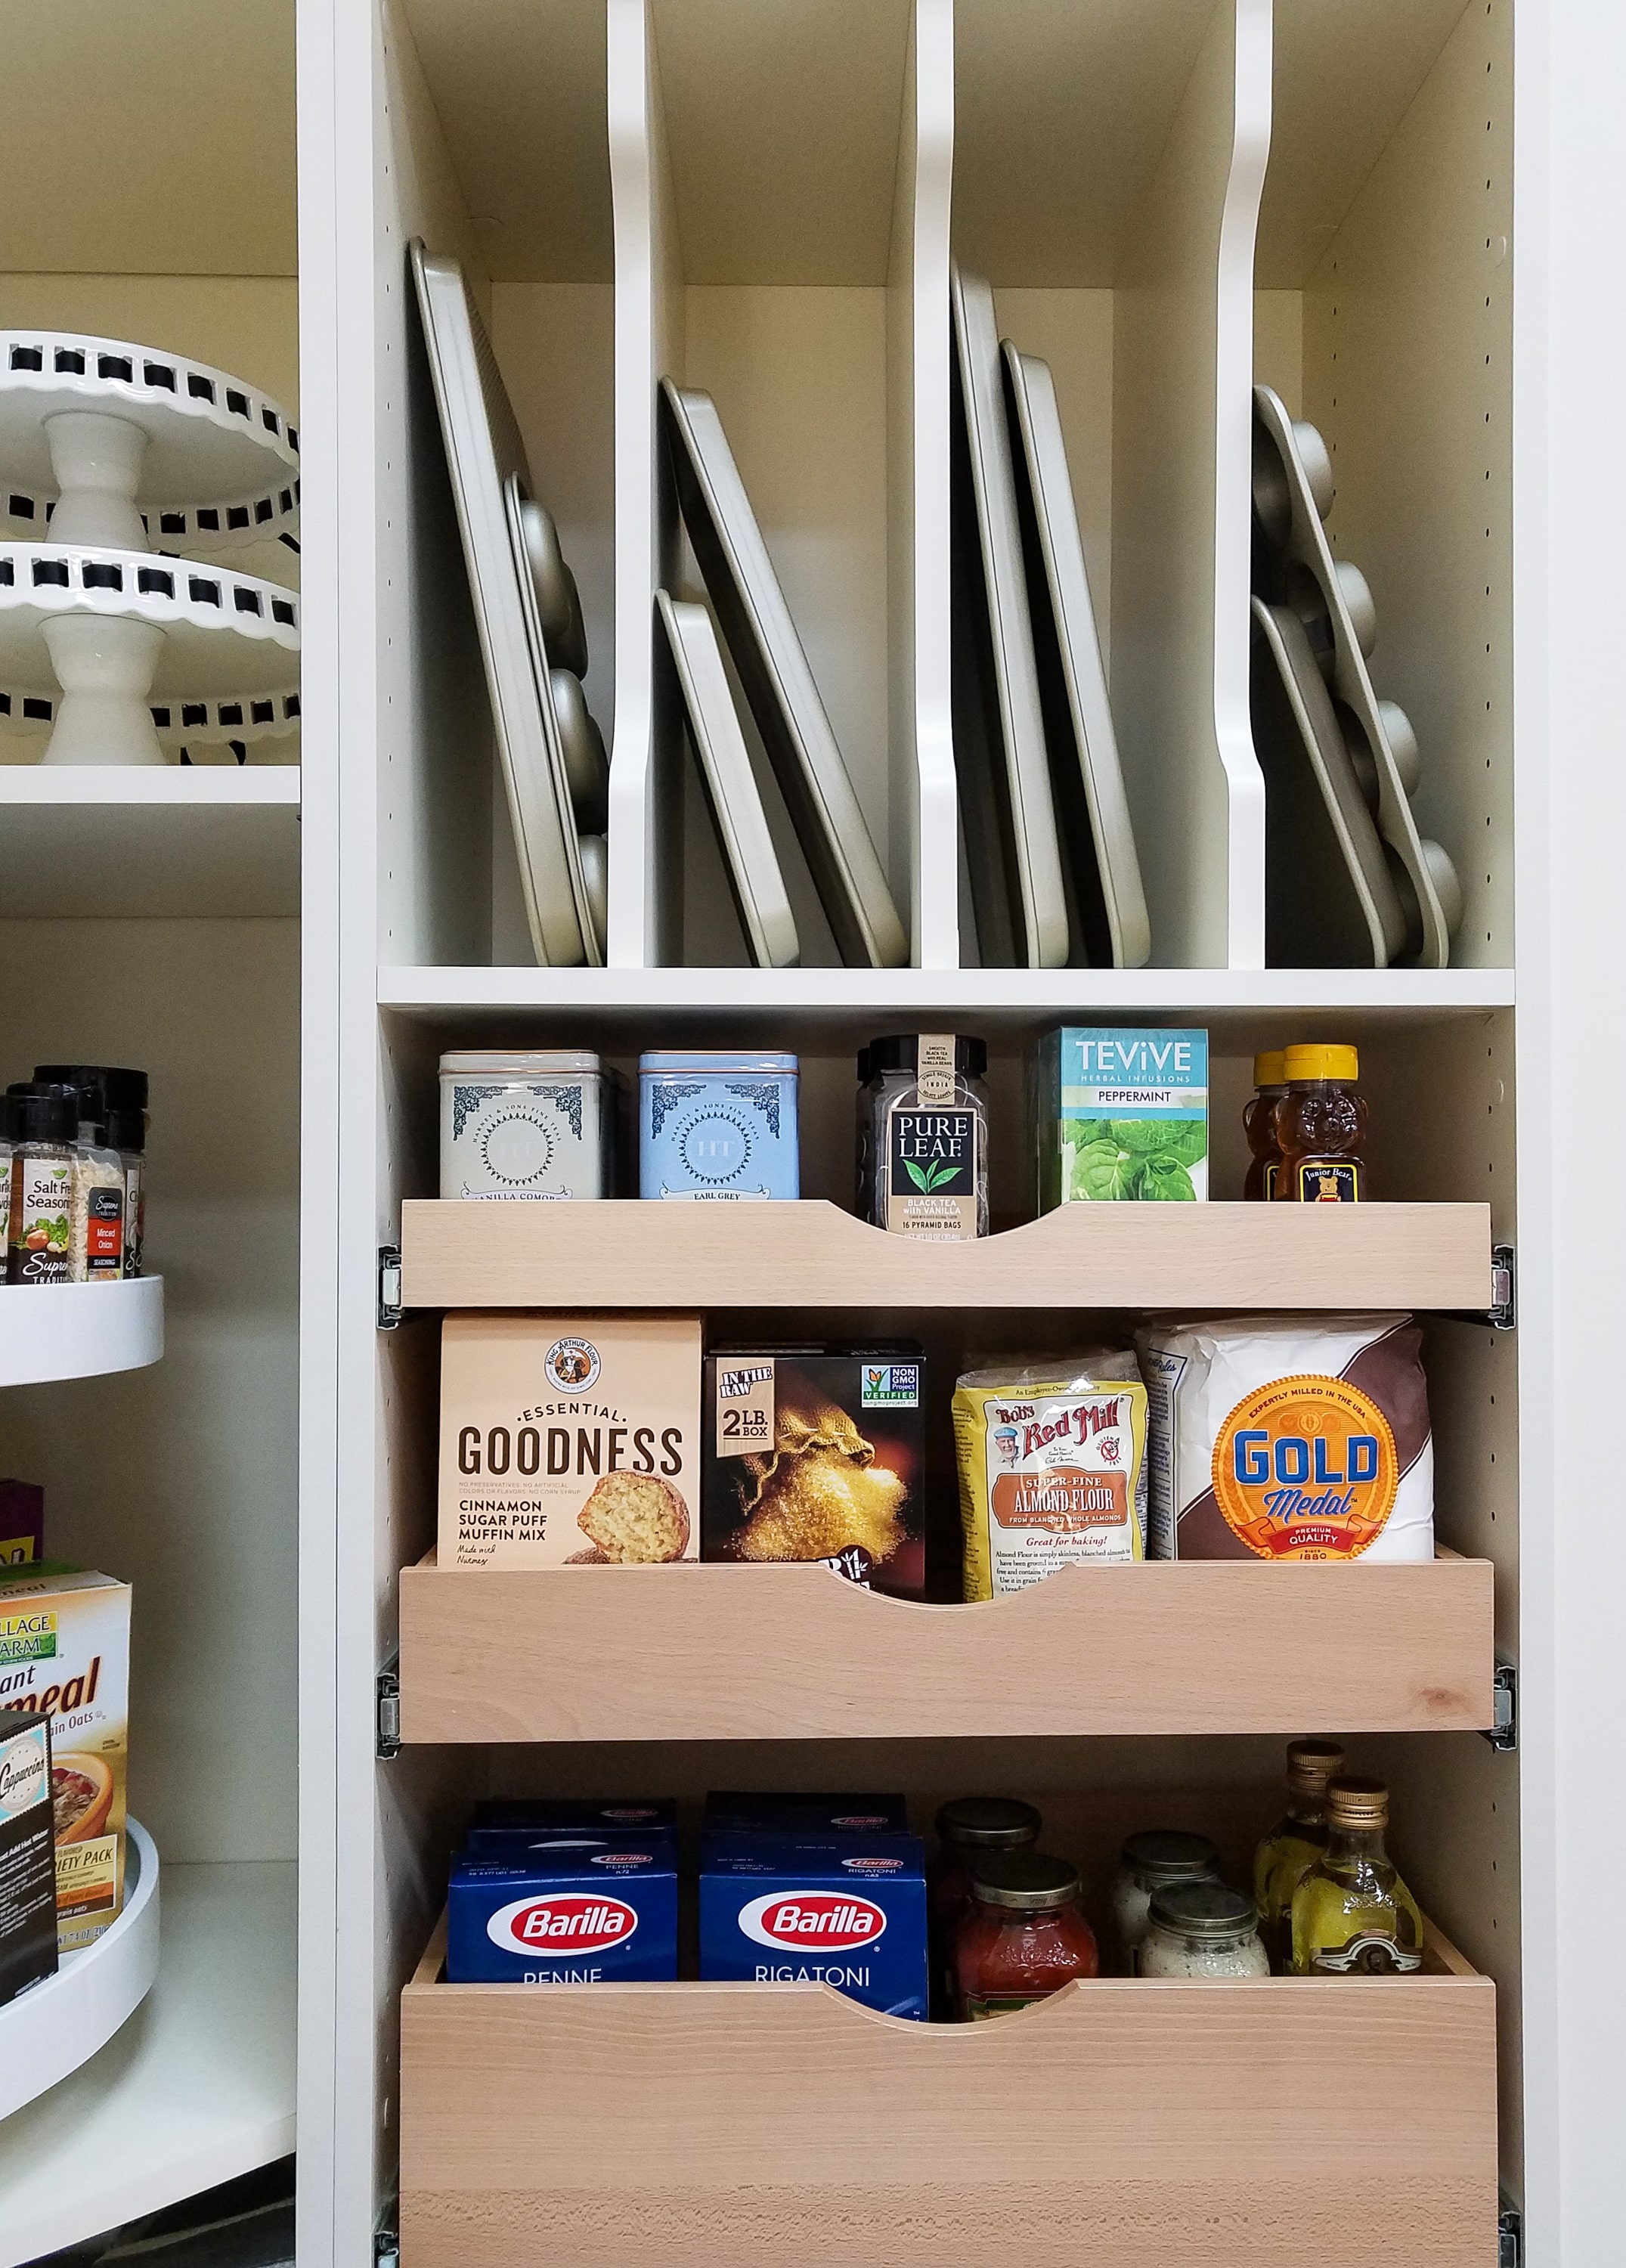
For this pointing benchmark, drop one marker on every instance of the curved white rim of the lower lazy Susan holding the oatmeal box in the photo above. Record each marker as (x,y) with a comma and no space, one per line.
(60,2024)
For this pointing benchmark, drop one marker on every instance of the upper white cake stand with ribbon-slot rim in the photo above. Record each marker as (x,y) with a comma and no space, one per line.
(137,450)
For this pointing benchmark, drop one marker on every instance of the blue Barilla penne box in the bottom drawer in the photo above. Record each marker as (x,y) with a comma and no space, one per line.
(564,1915)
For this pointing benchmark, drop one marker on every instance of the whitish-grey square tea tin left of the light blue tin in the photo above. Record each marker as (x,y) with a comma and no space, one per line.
(525,1124)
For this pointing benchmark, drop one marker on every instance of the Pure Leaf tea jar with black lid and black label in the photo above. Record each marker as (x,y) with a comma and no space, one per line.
(924,1135)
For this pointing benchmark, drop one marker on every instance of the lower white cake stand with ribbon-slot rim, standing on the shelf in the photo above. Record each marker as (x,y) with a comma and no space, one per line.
(142,645)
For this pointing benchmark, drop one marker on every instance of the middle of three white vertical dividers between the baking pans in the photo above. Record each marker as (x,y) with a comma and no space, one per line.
(922,745)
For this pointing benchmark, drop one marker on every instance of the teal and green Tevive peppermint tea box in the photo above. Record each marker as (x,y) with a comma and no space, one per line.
(1121,1117)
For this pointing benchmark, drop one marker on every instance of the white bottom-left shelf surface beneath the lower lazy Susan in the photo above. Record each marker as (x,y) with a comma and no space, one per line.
(196,2090)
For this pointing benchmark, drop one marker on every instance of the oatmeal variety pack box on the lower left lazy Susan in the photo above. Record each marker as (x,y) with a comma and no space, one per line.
(65,1650)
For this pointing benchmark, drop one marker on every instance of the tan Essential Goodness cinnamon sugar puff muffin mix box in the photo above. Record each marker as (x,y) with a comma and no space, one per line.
(570,1441)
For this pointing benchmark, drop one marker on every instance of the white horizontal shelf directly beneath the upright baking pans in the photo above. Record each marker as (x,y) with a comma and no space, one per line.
(1010,997)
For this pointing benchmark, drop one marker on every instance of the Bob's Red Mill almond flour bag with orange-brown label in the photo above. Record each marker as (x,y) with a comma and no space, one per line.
(1051,1469)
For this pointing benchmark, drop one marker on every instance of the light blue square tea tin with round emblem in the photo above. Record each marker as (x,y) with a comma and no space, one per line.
(718,1126)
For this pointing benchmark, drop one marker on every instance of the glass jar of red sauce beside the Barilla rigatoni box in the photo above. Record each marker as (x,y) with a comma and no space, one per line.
(1022,1936)
